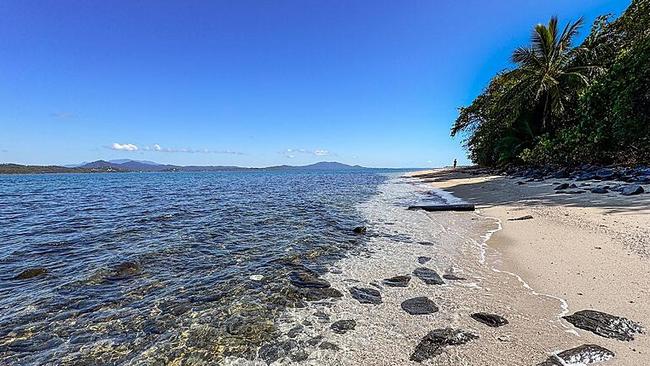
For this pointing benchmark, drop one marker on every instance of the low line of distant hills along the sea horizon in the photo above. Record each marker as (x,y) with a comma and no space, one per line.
(127,165)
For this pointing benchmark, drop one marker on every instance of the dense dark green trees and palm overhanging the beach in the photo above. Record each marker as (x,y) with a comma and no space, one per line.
(568,105)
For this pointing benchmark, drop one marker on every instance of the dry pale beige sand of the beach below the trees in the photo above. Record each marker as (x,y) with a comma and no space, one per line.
(588,250)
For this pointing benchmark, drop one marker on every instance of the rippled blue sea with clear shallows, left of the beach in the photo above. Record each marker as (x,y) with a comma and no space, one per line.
(154,268)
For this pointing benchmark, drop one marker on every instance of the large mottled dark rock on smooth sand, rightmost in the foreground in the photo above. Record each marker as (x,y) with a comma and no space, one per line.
(605,325)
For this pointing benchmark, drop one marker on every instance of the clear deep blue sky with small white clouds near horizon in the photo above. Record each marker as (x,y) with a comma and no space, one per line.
(254,83)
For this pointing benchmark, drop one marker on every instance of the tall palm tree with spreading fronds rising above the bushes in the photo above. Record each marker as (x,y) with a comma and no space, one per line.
(549,69)
